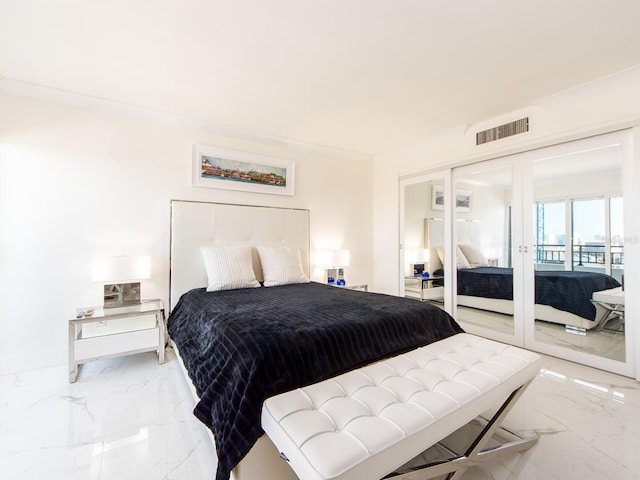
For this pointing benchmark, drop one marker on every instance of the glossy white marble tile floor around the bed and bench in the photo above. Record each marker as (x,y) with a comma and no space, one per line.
(131,418)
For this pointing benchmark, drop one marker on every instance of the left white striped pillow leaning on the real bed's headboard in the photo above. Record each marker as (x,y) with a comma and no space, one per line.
(229,268)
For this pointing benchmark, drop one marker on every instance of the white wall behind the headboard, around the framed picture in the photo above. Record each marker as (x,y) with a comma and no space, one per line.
(76,183)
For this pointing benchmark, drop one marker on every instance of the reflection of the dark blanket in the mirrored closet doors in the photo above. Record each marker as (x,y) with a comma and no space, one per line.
(564,290)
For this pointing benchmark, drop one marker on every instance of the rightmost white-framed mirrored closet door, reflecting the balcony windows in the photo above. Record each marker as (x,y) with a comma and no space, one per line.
(577,232)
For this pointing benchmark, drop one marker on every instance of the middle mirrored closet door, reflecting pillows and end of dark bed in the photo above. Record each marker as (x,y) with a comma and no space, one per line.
(484,237)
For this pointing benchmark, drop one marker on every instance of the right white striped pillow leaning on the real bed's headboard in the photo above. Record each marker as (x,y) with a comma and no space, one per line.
(281,266)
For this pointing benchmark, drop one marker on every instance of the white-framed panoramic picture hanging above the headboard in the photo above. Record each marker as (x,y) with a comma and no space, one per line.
(225,169)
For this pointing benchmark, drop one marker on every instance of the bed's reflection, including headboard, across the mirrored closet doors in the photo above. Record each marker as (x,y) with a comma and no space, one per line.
(563,297)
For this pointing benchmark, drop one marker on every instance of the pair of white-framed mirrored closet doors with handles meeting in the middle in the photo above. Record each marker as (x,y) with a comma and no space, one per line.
(528,216)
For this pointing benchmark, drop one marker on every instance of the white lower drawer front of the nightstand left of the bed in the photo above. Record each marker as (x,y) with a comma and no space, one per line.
(86,349)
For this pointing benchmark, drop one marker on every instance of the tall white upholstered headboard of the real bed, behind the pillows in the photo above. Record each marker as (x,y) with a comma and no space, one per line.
(196,224)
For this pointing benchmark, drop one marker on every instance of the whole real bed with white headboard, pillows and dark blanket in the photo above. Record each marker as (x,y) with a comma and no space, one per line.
(240,346)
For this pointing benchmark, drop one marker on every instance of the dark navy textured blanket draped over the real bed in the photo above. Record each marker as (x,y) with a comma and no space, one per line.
(241,347)
